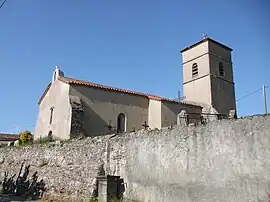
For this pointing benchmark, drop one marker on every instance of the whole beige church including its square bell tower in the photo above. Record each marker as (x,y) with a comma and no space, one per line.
(71,107)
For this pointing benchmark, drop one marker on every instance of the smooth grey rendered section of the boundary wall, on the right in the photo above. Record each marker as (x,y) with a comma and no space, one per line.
(228,161)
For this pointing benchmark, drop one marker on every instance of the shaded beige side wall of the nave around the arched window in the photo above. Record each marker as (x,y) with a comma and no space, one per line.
(101,106)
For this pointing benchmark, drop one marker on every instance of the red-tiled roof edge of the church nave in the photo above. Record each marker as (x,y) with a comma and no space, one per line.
(69,80)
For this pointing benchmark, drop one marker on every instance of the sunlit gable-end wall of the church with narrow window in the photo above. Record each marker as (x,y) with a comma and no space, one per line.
(58,98)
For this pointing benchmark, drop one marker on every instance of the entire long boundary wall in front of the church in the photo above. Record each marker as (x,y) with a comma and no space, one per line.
(224,160)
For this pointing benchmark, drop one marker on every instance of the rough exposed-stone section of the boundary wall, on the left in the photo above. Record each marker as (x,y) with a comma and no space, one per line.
(69,170)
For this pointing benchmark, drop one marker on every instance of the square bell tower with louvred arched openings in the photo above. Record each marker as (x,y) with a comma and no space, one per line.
(208,75)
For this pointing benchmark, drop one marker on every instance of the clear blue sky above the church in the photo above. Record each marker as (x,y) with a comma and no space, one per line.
(128,44)
